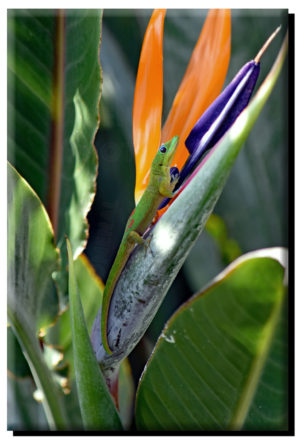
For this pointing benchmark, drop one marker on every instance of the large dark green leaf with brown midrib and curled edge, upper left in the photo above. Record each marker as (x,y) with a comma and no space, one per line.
(53,96)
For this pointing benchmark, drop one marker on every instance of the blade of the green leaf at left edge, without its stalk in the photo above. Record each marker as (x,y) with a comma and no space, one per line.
(32,256)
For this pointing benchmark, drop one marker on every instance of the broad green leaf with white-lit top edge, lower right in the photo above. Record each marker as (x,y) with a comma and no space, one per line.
(205,372)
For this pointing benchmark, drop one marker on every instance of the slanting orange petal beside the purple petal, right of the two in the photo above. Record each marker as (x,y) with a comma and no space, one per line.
(203,80)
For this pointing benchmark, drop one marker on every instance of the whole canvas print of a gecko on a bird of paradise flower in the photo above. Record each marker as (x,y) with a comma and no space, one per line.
(148,221)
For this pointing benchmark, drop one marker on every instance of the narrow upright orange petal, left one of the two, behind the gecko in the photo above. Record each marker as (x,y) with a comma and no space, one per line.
(148,97)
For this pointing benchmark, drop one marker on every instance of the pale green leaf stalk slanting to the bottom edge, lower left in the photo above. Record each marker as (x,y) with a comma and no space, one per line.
(52,401)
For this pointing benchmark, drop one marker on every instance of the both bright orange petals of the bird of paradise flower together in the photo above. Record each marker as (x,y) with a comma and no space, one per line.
(201,84)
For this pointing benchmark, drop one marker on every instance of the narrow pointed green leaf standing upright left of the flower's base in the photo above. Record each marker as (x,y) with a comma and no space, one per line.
(96,405)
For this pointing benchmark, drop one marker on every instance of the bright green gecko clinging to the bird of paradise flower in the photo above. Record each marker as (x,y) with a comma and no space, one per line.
(159,187)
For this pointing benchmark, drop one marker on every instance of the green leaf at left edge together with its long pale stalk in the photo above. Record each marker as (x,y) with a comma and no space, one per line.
(32,304)
